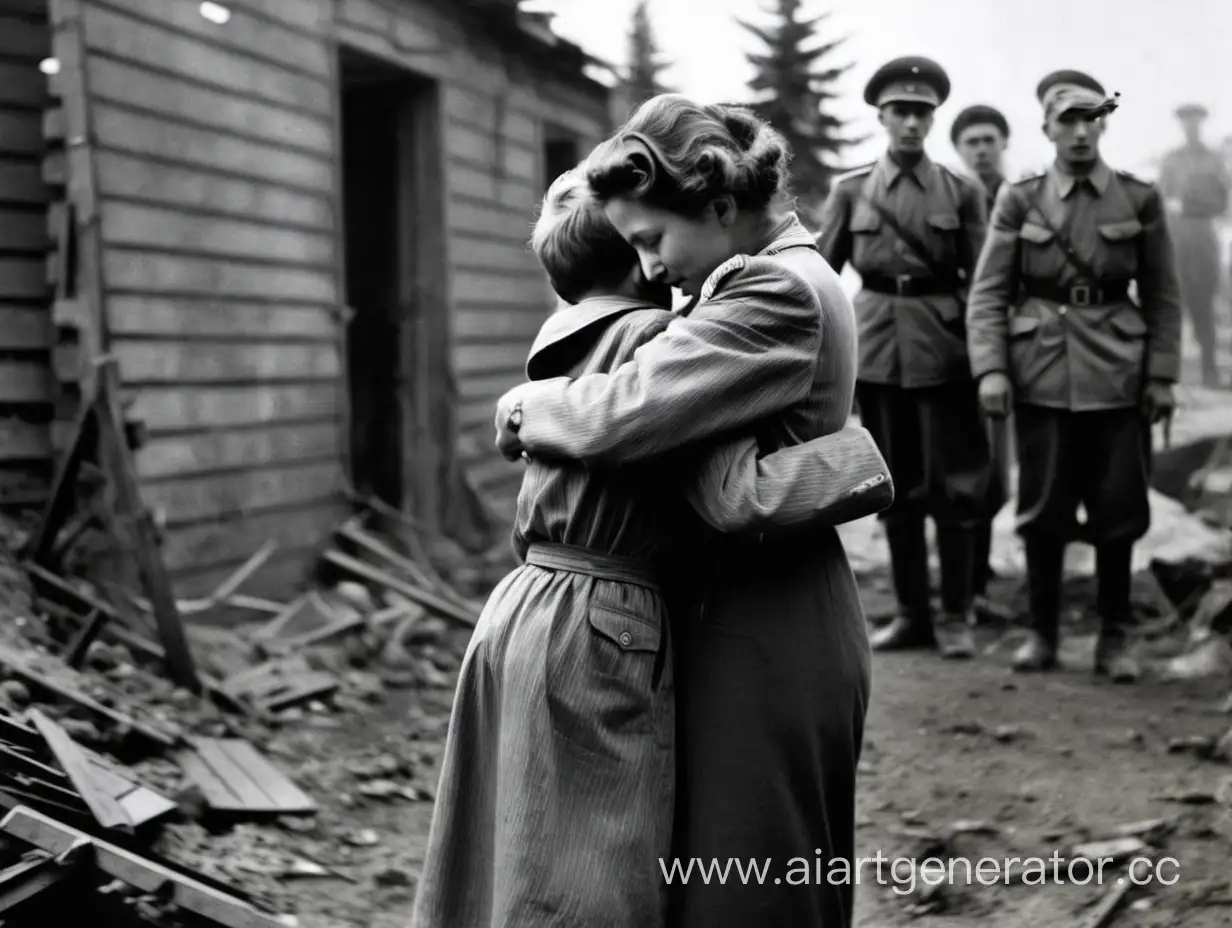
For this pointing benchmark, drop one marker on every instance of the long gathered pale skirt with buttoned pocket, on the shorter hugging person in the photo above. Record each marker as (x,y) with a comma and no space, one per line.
(556,791)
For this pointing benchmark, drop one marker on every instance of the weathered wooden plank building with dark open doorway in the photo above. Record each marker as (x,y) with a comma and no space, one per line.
(301,227)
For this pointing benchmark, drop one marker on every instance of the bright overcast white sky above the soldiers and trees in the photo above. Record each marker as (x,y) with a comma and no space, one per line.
(1156,52)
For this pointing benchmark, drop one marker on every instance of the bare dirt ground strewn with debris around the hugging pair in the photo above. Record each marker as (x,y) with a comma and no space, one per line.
(1033,765)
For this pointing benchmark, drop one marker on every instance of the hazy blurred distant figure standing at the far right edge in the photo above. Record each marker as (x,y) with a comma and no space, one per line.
(1196,184)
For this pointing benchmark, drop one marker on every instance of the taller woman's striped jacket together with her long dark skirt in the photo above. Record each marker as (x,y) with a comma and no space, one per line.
(774,662)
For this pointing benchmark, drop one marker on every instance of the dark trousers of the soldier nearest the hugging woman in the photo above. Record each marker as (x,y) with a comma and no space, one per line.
(937,448)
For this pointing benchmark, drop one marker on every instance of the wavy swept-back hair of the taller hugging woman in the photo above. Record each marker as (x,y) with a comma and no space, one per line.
(679,156)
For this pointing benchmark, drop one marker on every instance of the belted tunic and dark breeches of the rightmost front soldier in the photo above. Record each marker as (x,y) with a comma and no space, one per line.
(1076,346)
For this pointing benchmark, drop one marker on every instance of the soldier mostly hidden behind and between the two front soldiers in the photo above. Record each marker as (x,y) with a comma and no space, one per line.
(981,136)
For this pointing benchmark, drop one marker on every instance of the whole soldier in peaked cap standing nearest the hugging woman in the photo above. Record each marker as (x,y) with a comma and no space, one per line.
(914,230)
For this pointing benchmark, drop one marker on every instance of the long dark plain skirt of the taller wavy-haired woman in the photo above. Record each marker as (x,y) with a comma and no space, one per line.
(773,686)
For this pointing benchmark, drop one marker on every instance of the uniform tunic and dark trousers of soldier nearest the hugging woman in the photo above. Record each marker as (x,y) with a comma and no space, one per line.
(916,391)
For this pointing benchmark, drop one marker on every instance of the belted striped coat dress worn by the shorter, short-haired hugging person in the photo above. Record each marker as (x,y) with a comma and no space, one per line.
(556,793)
